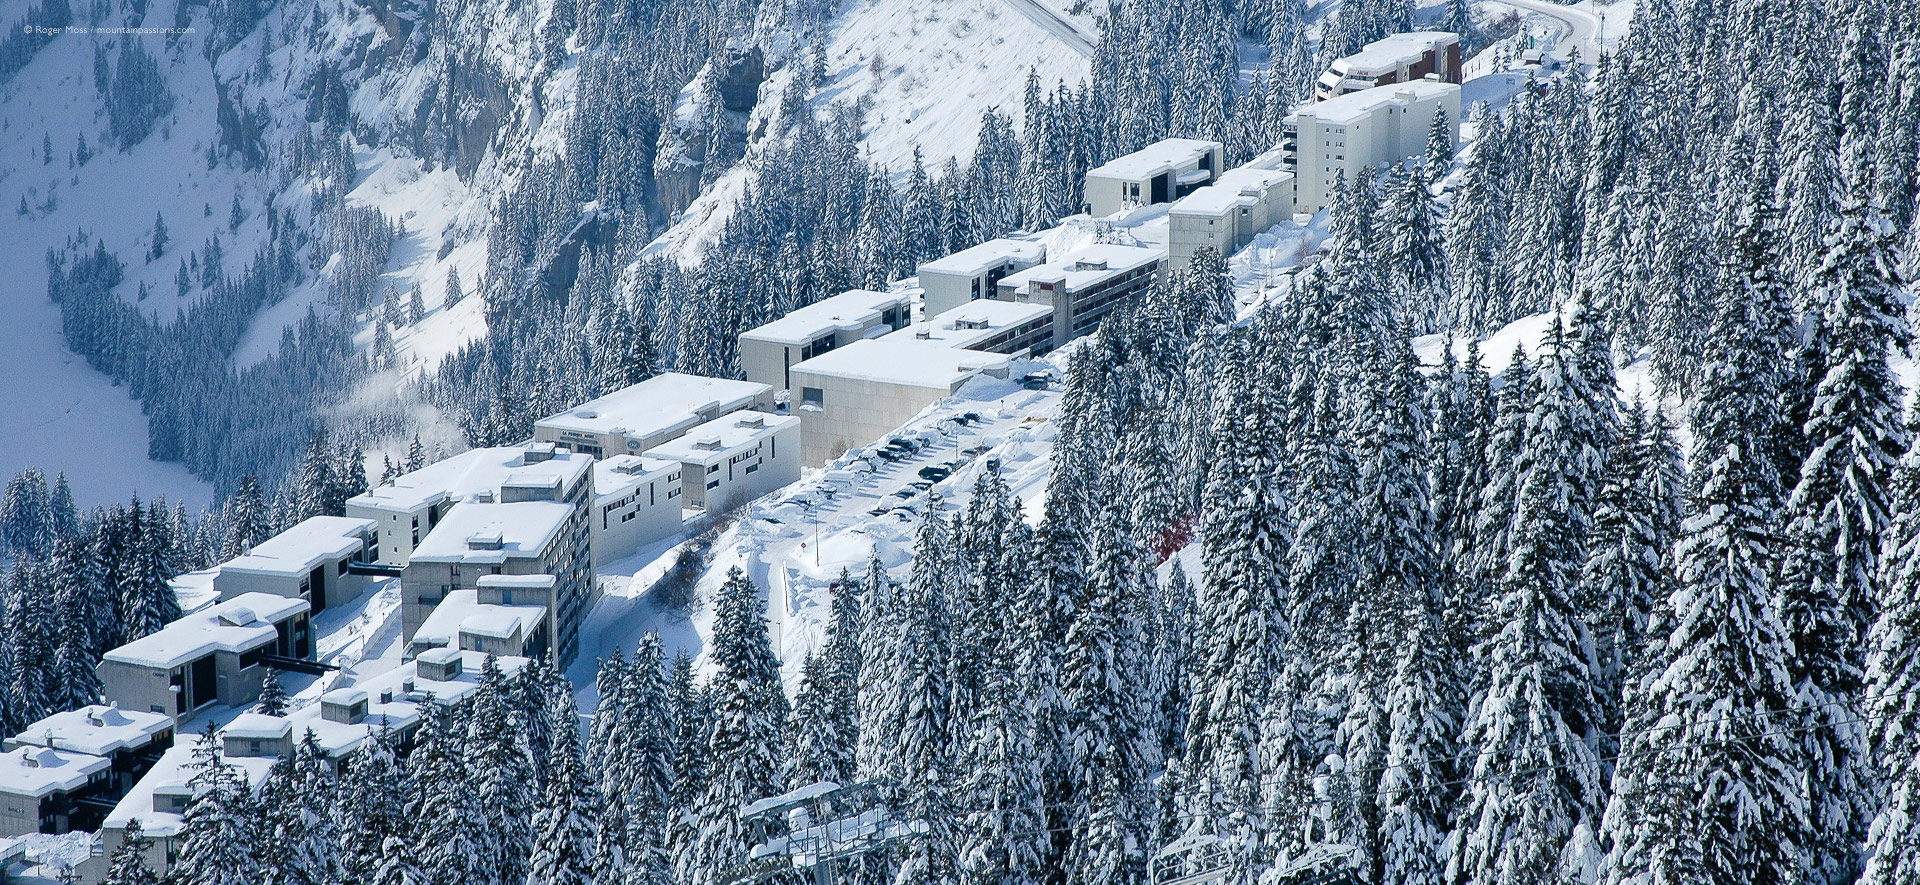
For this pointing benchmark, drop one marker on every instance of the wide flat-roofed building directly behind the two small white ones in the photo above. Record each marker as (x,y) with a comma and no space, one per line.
(650,414)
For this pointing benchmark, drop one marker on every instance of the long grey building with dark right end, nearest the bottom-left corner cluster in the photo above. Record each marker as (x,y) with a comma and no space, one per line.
(214,656)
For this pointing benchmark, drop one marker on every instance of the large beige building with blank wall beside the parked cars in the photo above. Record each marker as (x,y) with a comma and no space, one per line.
(867,391)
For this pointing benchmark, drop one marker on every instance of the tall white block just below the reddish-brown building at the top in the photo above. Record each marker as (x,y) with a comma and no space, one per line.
(1335,139)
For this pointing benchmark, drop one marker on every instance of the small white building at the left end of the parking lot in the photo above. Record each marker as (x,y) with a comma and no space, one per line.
(734,460)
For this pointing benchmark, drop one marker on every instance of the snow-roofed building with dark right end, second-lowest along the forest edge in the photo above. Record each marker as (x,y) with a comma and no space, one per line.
(322,560)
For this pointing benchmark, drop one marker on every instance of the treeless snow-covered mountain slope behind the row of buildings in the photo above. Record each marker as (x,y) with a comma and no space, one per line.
(923,72)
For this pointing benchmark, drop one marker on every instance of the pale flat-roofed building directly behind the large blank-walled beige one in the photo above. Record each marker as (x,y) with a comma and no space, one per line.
(769,352)
